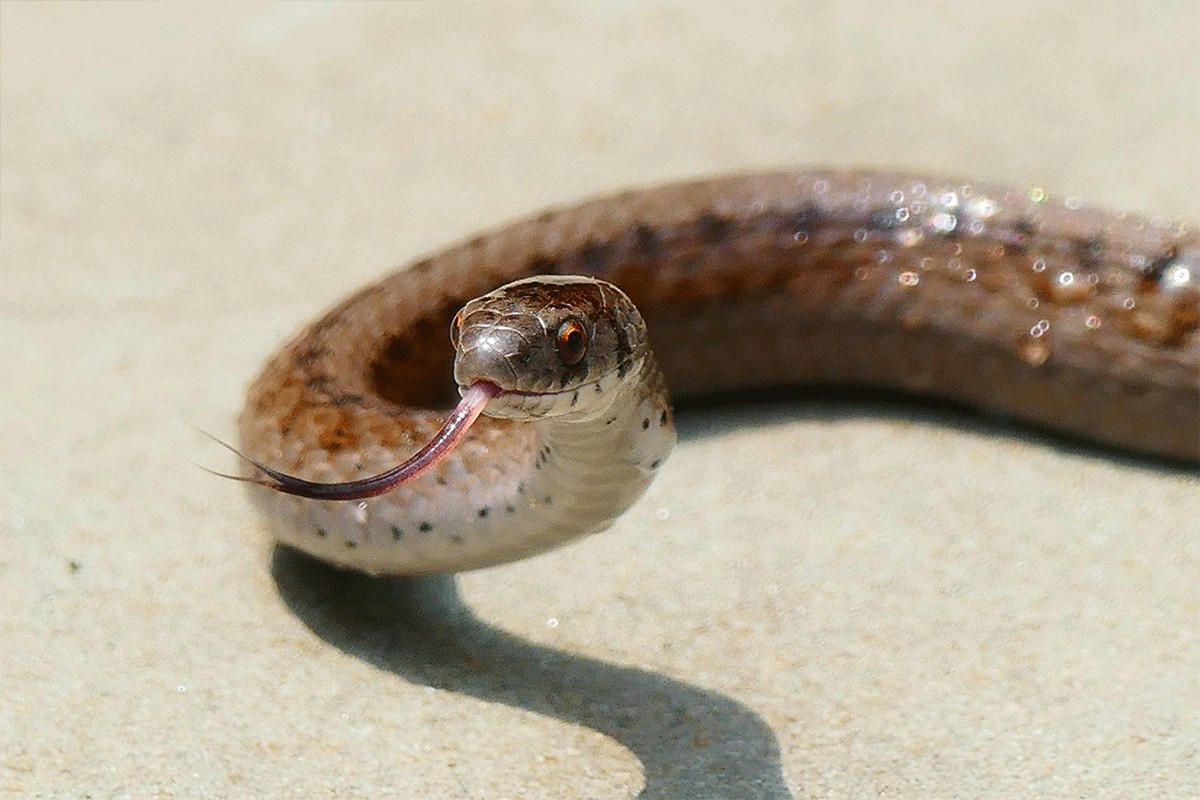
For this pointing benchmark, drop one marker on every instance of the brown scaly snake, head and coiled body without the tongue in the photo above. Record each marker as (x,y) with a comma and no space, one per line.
(1082,321)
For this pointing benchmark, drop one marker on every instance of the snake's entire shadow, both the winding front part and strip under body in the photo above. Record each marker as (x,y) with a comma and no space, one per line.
(694,744)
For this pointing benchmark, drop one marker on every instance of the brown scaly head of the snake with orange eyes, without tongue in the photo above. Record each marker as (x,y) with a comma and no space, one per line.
(555,346)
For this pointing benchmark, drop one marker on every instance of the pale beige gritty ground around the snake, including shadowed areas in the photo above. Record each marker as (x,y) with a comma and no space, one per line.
(817,600)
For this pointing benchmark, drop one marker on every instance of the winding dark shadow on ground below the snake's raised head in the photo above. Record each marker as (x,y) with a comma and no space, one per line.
(693,743)
